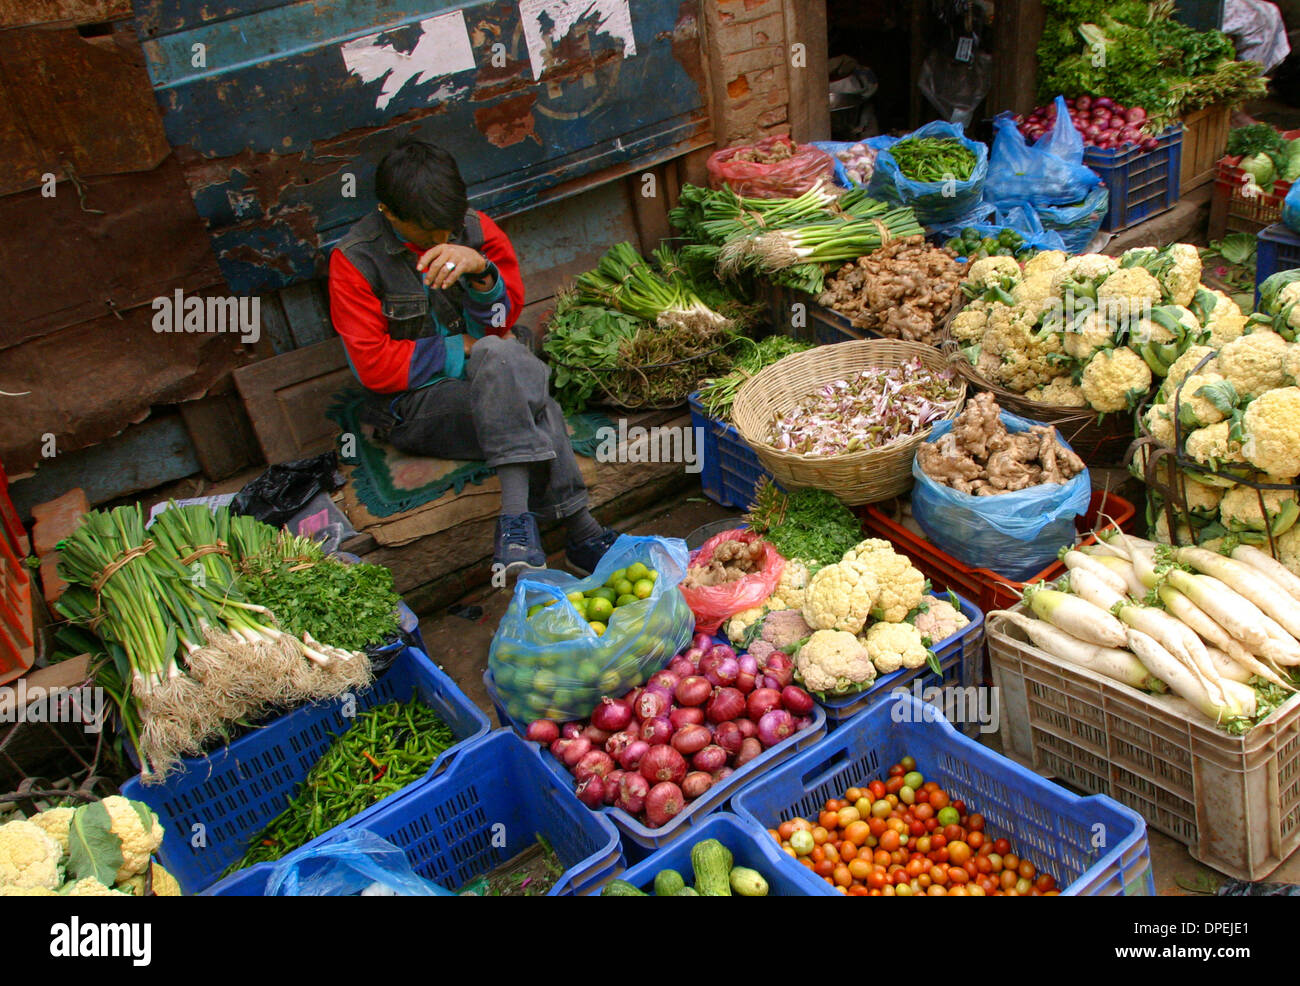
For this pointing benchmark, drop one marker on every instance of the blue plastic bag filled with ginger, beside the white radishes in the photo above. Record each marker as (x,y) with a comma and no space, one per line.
(1017,535)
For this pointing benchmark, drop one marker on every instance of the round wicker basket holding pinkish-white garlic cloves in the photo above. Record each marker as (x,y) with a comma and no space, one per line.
(857,477)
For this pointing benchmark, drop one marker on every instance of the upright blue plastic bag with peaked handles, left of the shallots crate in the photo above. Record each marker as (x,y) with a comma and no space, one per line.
(1020,172)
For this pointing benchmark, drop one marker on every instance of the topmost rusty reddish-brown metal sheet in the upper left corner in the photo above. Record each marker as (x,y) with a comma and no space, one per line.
(71,105)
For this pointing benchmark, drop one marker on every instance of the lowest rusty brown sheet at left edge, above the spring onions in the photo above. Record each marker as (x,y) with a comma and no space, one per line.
(88,383)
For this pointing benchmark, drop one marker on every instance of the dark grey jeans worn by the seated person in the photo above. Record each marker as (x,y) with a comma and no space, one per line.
(504,414)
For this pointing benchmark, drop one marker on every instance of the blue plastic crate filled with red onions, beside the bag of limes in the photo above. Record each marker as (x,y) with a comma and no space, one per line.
(647,838)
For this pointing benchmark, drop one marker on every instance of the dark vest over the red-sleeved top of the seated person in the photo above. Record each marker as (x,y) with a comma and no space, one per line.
(413,310)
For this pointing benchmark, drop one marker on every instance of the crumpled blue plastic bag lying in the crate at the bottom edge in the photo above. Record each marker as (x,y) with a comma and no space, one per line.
(345,864)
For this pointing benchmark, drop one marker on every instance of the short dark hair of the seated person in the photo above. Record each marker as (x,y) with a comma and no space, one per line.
(421,183)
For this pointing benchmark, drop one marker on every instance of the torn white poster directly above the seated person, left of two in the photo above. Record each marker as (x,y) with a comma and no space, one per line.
(441,50)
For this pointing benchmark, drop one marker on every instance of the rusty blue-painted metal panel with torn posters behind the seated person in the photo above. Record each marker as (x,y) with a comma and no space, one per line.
(296,98)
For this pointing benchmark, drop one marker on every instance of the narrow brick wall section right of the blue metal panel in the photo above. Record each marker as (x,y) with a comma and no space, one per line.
(751,66)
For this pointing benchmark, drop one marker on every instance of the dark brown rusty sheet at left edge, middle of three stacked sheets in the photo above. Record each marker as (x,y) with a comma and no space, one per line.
(62,265)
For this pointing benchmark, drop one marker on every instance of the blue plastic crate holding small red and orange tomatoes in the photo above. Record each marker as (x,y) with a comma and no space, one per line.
(1093,846)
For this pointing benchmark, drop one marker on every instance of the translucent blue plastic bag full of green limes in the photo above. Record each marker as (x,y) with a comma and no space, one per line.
(554,665)
